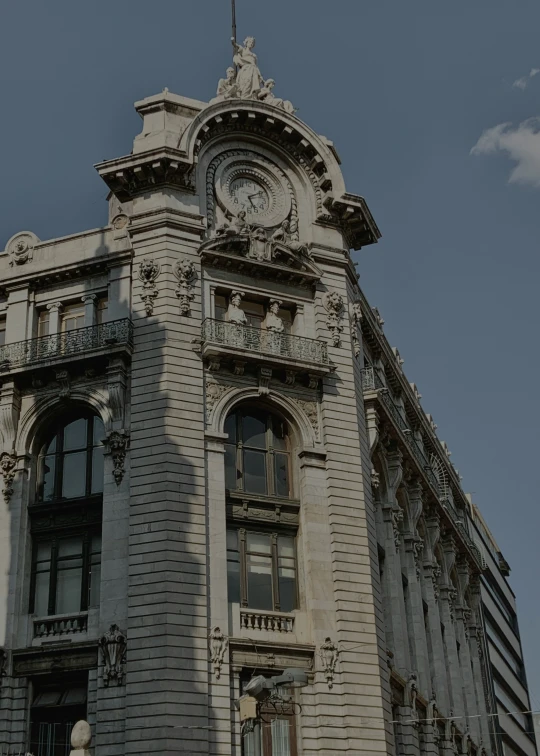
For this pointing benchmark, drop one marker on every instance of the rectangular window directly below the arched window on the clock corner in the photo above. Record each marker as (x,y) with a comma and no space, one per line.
(261,570)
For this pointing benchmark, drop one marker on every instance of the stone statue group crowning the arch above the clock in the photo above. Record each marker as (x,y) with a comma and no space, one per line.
(246,82)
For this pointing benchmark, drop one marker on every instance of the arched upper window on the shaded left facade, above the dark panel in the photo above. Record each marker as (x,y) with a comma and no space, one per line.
(70,464)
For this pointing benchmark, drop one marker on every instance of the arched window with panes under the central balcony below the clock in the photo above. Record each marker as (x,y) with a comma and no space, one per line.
(257,453)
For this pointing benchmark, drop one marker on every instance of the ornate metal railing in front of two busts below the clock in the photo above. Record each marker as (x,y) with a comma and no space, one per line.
(265,342)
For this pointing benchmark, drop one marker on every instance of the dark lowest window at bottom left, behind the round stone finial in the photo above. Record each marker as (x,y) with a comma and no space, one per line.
(54,711)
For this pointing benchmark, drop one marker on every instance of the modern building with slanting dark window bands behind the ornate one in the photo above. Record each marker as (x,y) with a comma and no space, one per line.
(509,696)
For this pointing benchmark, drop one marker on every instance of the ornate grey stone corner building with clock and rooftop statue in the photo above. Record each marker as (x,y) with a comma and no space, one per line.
(214,466)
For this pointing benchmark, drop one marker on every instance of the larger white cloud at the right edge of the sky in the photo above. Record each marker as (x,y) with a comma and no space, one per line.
(521,144)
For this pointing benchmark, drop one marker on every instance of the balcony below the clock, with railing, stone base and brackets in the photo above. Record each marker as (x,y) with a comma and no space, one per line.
(224,342)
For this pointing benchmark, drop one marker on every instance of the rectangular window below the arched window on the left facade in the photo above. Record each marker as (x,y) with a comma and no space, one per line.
(66,574)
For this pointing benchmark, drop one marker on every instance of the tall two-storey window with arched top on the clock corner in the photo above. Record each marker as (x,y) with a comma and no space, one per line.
(262,518)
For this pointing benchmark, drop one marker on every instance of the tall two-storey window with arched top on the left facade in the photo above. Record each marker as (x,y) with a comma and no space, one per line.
(66,562)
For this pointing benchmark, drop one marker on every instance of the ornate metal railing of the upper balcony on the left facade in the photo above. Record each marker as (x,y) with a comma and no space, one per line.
(57,345)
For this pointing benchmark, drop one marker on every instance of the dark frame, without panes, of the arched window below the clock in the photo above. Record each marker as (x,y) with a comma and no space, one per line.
(270,452)
